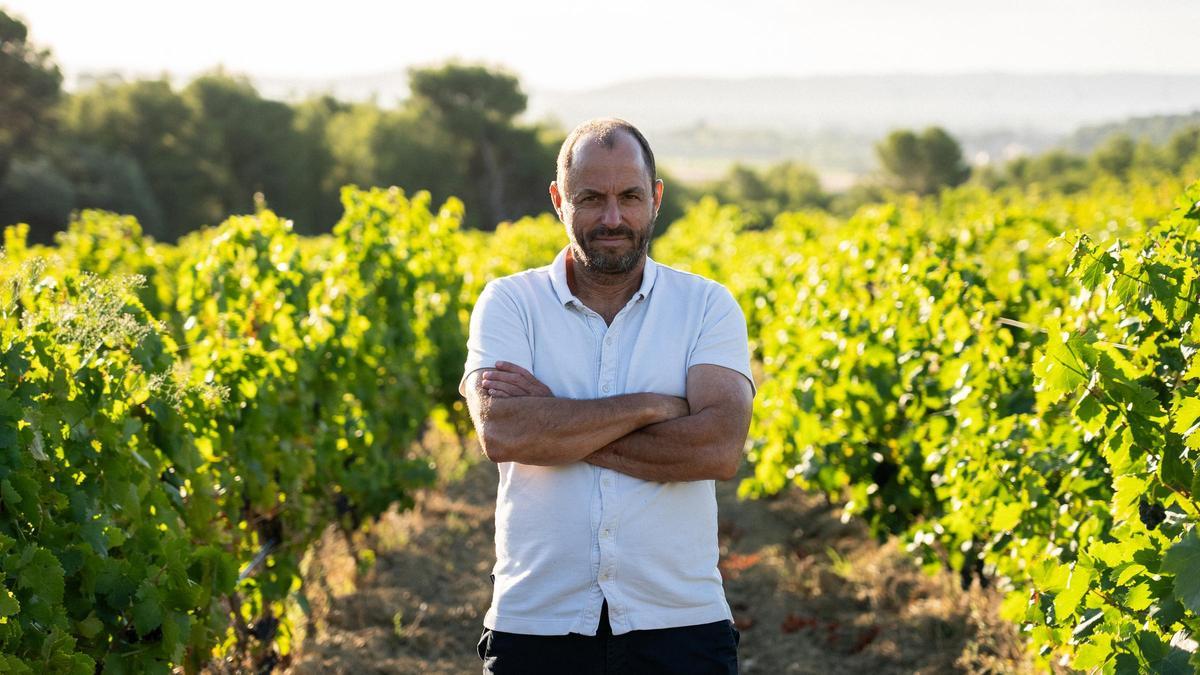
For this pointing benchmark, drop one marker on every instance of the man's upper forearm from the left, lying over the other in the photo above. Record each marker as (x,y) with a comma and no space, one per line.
(547,431)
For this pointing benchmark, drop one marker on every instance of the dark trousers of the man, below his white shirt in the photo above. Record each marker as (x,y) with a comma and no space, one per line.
(692,650)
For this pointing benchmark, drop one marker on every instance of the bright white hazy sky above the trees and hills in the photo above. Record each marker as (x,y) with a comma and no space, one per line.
(584,45)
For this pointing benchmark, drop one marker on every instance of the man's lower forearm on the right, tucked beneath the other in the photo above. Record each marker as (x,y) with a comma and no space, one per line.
(698,447)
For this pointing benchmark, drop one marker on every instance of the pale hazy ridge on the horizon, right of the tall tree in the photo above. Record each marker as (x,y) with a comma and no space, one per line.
(873,105)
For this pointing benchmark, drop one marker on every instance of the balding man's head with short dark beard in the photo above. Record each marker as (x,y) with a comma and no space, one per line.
(608,195)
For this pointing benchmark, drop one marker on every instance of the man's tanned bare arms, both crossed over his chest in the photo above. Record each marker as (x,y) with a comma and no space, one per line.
(650,437)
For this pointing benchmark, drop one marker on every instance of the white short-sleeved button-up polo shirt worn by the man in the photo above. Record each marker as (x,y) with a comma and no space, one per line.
(569,537)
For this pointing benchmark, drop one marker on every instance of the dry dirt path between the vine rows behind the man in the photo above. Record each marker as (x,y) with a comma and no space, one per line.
(811,594)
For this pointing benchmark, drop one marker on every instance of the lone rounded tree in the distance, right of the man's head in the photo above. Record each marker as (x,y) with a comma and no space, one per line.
(922,164)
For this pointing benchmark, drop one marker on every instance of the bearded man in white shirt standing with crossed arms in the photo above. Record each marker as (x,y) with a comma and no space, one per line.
(611,392)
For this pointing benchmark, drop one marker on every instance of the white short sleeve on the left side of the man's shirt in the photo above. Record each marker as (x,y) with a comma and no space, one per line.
(499,333)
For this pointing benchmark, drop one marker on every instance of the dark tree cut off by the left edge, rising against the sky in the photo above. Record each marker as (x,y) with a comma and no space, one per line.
(31,85)
